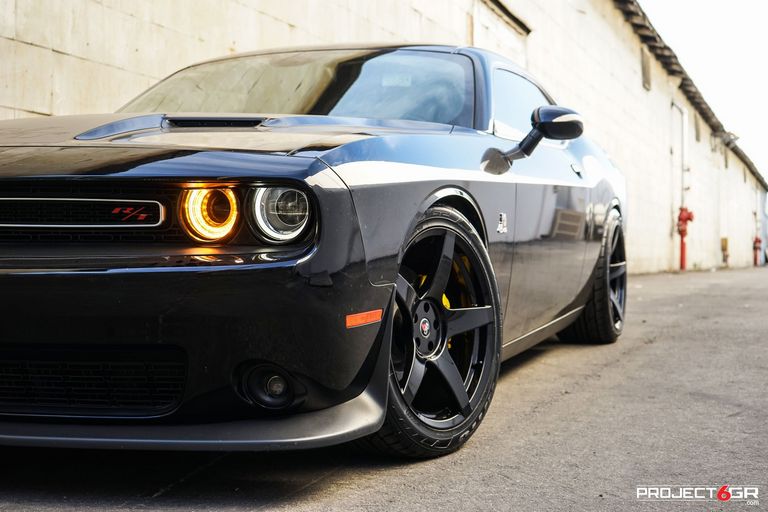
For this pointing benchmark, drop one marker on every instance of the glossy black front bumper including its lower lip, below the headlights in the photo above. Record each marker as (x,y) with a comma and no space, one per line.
(225,315)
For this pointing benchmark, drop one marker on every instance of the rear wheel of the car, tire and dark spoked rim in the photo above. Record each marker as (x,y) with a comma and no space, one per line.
(602,319)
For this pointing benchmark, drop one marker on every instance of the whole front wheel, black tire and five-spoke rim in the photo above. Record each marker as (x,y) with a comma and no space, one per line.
(445,359)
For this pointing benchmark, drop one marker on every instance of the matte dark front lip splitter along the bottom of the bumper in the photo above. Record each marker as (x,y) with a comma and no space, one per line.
(355,418)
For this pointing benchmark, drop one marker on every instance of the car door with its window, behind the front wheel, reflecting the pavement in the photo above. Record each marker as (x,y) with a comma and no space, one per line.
(550,214)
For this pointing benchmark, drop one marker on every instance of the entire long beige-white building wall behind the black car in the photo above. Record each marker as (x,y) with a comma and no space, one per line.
(84,56)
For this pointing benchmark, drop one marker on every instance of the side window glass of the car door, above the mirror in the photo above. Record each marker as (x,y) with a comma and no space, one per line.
(515,99)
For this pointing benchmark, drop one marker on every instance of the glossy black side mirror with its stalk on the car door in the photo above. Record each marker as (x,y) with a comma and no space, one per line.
(551,122)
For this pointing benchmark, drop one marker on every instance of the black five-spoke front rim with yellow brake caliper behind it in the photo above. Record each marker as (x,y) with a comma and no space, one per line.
(444,329)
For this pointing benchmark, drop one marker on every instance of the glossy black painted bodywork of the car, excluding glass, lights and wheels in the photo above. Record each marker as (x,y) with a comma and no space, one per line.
(371,181)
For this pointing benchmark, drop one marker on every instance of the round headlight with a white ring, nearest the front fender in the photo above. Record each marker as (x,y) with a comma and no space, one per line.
(281,213)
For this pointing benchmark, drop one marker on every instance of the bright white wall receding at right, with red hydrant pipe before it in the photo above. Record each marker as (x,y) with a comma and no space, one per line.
(589,57)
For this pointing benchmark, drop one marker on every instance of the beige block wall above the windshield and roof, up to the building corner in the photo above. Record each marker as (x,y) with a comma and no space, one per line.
(86,56)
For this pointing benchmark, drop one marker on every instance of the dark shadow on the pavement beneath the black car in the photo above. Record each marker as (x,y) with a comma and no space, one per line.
(40,479)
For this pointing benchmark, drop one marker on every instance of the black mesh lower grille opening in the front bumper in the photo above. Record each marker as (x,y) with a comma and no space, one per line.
(89,381)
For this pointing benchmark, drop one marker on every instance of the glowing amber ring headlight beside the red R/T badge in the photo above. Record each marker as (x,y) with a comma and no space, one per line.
(210,214)
